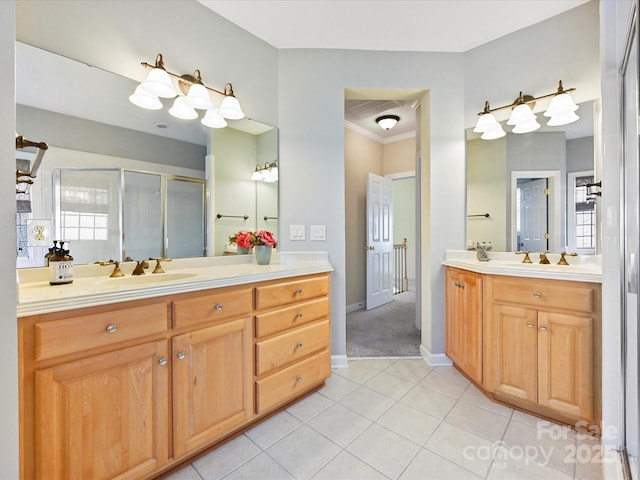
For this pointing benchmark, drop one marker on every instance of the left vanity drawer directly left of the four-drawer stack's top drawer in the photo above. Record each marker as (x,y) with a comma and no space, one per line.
(211,306)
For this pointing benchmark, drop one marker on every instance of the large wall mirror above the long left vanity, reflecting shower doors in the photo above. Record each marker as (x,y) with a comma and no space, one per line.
(165,181)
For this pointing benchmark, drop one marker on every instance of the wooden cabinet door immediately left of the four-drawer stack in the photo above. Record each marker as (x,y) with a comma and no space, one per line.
(212,383)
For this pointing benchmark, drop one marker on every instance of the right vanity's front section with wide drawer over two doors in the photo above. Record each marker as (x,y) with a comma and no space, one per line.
(539,346)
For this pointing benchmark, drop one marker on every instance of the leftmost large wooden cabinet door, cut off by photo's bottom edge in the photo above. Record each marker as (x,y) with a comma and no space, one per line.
(103,417)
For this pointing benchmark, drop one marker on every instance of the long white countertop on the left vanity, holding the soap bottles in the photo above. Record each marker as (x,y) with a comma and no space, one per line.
(92,285)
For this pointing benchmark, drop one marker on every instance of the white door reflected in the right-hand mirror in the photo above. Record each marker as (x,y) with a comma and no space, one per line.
(533,216)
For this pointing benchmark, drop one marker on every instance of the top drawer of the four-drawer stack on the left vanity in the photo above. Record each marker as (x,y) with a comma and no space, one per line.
(278,294)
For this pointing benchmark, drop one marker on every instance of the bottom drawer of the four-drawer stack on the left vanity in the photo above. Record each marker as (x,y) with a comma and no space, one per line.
(286,384)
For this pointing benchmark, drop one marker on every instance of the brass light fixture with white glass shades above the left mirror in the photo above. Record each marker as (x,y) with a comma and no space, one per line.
(194,95)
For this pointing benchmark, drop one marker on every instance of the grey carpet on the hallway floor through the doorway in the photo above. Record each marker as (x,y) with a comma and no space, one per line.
(386,331)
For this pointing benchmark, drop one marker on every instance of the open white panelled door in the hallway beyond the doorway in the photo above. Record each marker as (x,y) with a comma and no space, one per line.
(379,241)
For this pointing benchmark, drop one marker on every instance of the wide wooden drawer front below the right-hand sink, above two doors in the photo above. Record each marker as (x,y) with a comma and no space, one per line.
(549,293)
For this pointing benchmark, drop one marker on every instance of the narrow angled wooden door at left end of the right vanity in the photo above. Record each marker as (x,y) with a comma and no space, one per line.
(464,321)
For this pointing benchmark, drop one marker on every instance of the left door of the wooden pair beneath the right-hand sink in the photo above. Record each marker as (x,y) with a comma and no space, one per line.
(511,367)
